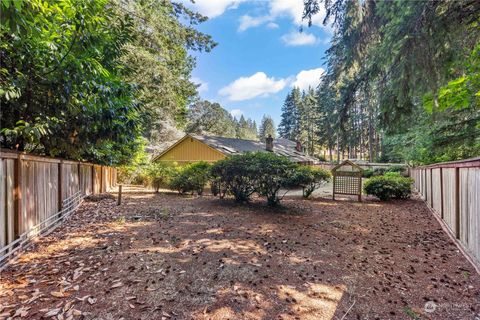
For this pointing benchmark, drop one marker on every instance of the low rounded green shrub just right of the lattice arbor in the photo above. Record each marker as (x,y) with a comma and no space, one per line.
(389,186)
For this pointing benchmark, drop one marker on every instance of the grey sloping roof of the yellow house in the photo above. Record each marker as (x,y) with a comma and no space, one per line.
(230,146)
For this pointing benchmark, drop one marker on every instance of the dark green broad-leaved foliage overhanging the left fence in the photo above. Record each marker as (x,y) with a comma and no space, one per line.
(62,92)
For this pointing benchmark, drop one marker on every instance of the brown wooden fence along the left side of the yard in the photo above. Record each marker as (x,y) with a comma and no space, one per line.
(34,190)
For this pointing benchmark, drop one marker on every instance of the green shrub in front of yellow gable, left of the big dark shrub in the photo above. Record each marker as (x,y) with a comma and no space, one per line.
(191,178)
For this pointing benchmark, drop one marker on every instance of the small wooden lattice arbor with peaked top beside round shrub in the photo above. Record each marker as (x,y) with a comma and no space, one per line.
(347,179)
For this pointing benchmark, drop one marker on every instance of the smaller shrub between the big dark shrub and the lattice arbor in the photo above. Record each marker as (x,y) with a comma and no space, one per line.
(308,179)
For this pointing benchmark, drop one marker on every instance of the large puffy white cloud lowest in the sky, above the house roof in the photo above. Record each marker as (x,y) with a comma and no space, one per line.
(258,84)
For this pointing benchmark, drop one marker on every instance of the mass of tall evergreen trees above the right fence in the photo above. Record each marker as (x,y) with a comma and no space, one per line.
(402,80)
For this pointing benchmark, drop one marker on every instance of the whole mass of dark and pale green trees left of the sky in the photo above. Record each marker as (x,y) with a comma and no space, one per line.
(83,79)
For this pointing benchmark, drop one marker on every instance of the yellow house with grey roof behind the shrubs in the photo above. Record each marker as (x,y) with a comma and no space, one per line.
(192,148)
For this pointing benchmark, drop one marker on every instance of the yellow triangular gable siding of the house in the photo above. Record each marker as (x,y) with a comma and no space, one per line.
(191,150)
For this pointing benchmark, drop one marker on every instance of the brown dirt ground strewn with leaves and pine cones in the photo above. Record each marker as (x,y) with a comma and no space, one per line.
(164,256)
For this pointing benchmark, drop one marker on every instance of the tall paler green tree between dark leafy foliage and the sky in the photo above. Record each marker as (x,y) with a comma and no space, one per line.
(158,62)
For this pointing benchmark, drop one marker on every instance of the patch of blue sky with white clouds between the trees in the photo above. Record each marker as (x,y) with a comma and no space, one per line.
(260,55)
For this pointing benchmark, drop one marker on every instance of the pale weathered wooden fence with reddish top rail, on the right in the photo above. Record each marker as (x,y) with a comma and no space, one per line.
(452,191)
